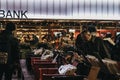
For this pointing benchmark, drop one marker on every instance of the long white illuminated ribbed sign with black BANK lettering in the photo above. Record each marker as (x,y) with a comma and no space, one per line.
(60,9)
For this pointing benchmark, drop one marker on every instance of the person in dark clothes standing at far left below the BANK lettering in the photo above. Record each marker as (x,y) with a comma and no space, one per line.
(13,52)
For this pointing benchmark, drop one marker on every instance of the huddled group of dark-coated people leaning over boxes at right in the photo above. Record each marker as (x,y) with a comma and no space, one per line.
(89,43)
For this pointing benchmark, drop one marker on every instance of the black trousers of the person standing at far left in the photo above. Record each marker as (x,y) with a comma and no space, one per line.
(7,71)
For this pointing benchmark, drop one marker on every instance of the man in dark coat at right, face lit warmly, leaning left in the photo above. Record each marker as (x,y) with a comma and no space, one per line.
(95,44)
